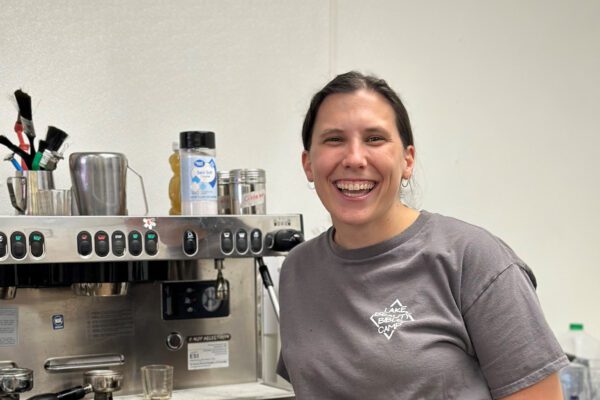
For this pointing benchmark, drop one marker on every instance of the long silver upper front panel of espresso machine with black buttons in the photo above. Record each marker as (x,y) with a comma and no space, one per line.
(139,238)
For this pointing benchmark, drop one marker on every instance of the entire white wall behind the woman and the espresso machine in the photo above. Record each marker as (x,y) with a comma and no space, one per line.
(503,98)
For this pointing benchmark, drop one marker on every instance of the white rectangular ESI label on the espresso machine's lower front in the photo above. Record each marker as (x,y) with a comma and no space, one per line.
(208,351)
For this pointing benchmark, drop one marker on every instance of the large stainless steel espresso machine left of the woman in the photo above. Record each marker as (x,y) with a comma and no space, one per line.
(94,293)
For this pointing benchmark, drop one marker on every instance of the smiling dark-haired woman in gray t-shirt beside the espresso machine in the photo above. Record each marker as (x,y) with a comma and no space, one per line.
(393,302)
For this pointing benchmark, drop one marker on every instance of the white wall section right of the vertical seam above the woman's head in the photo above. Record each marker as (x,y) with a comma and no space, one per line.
(504,98)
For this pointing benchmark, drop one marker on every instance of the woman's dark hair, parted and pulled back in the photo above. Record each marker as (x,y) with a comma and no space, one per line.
(351,82)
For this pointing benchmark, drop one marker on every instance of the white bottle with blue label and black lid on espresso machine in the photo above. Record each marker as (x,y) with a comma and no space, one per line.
(199,190)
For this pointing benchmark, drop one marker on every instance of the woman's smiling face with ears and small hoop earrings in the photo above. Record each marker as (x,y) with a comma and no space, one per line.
(357,158)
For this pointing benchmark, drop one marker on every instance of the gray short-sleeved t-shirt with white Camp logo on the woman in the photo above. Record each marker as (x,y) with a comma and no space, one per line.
(445,310)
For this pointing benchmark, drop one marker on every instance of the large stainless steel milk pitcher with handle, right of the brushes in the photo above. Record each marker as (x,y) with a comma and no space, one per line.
(100,183)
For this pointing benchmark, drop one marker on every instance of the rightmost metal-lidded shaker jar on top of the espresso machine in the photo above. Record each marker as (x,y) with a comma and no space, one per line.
(248,192)
